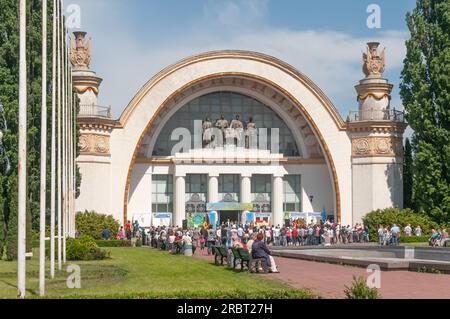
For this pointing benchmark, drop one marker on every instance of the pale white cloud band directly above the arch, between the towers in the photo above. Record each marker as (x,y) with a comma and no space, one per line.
(332,60)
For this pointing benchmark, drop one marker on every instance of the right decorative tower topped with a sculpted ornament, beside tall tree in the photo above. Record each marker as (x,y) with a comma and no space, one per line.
(376,131)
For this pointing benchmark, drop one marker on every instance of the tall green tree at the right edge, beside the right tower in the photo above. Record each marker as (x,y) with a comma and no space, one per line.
(425,94)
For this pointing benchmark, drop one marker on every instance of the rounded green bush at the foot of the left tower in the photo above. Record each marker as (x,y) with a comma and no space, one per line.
(92,224)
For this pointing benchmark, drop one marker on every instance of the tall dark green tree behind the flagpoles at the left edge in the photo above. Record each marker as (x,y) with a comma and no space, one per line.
(9,90)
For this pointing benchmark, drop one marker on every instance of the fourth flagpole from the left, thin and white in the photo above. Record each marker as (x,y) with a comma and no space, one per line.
(59,139)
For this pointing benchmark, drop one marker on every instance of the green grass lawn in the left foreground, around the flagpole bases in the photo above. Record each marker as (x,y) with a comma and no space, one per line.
(147,273)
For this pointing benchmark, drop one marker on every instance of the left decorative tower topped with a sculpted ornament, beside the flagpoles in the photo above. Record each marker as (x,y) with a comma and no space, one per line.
(96,125)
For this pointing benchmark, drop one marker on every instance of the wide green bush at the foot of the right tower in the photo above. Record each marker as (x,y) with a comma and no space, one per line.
(390,216)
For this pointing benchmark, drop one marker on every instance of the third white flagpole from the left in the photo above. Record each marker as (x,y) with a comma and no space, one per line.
(53,164)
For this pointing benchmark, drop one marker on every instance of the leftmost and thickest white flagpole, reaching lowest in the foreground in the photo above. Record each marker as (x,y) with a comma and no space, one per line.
(22,174)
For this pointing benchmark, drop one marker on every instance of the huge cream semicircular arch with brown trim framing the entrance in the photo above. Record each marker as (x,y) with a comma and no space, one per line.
(265,78)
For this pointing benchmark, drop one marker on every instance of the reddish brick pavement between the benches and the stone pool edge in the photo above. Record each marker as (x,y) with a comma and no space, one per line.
(329,280)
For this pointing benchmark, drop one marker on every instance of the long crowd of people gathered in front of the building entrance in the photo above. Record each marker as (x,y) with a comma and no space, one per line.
(229,234)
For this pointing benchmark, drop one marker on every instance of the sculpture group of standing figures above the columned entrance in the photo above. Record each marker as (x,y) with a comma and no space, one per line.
(230,133)
